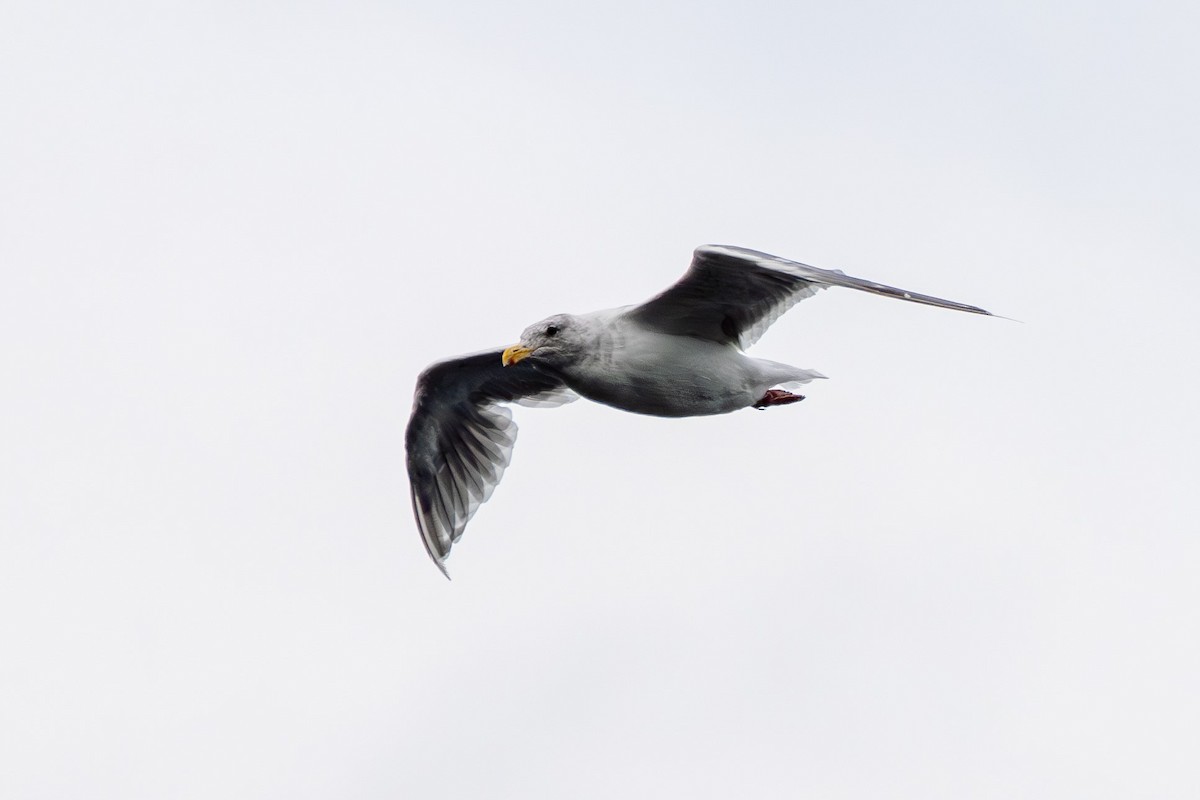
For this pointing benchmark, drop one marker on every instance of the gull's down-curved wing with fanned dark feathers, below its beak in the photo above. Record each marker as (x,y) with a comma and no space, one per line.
(460,438)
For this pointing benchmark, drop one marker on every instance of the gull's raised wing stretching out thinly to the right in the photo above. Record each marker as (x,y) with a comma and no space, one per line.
(733,296)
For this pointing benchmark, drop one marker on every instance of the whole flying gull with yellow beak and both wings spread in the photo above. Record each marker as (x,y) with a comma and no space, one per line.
(679,354)
